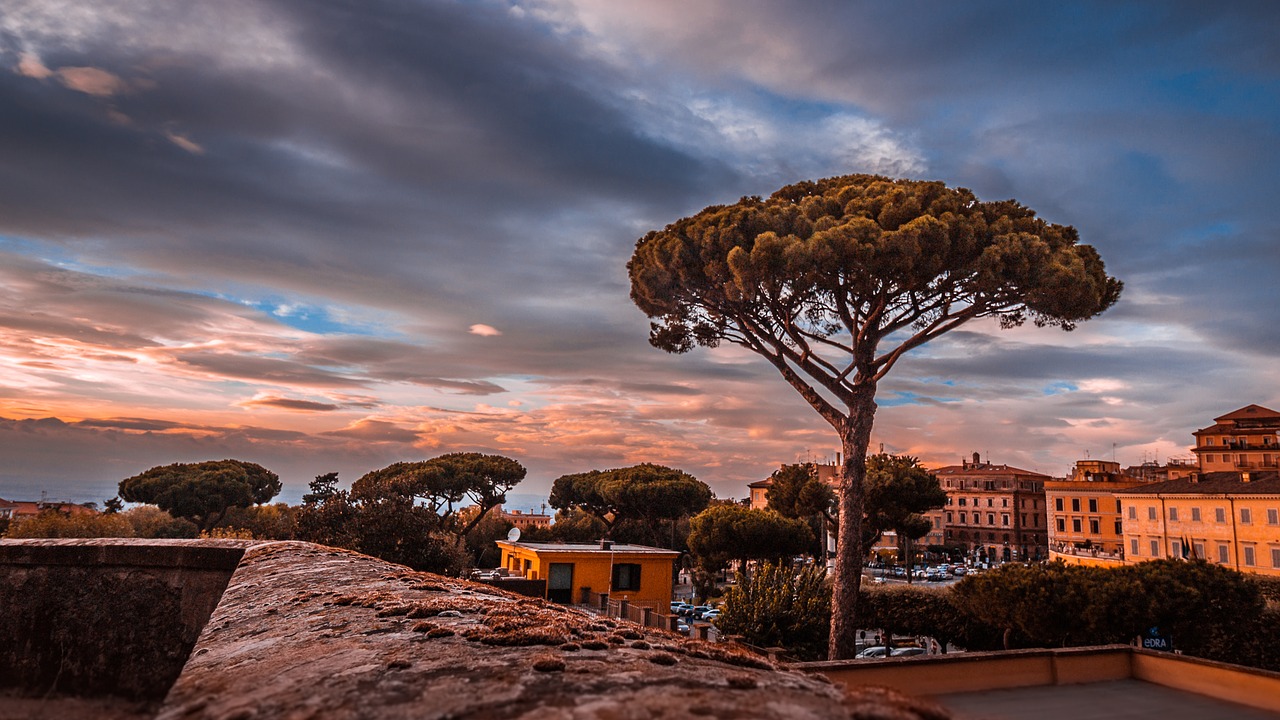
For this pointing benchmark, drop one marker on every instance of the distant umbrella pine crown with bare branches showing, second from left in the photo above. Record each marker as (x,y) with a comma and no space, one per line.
(445,485)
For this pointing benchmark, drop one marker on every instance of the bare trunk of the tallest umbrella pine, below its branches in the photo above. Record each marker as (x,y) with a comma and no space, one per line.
(856,436)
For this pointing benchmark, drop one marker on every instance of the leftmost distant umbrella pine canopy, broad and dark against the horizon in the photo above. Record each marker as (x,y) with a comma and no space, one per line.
(202,493)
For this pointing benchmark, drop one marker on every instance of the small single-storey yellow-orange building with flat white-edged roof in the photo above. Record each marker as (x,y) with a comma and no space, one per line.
(637,573)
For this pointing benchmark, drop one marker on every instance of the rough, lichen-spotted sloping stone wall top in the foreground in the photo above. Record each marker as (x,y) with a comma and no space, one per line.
(308,632)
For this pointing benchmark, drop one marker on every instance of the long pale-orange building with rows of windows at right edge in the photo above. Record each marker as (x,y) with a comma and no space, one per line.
(1227,518)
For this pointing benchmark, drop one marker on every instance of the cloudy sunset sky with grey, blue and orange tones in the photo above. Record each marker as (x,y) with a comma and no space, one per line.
(328,236)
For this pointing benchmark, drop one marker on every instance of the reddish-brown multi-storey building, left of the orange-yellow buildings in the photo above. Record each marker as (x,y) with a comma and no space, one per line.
(995,513)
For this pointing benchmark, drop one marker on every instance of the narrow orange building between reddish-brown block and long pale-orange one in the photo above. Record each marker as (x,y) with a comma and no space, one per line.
(1086,520)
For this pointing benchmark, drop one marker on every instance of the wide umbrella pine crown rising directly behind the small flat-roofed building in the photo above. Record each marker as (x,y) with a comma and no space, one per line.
(646,504)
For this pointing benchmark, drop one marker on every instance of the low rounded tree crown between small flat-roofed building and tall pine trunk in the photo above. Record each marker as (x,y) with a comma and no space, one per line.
(733,532)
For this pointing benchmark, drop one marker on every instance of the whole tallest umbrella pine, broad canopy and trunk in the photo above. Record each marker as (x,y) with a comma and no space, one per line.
(834,281)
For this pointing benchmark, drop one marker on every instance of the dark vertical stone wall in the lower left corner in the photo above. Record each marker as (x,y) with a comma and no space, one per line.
(106,617)
